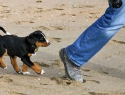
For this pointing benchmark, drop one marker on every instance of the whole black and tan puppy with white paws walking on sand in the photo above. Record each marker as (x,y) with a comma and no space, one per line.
(22,47)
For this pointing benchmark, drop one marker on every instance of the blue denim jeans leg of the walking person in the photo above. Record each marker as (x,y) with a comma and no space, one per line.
(97,35)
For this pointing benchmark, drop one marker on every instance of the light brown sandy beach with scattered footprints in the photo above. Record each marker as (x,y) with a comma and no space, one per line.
(62,21)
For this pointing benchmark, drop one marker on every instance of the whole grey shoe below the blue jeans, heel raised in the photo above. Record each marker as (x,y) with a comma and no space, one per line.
(72,71)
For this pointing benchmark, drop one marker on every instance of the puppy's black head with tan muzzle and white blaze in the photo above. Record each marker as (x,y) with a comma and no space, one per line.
(38,38)
